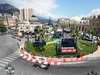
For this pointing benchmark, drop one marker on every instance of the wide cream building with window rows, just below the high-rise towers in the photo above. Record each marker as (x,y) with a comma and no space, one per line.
(29,26)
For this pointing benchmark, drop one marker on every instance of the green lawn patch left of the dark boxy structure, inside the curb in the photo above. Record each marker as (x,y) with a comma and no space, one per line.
(48,50)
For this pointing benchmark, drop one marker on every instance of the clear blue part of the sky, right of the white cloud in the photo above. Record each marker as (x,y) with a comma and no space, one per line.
(76,7)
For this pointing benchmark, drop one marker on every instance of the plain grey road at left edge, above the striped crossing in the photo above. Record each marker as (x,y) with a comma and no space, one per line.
(8,45)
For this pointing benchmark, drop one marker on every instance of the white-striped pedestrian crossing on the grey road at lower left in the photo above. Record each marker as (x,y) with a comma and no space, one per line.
(10,58)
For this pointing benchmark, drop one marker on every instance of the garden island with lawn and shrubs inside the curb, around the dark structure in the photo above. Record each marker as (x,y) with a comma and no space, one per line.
(48,45)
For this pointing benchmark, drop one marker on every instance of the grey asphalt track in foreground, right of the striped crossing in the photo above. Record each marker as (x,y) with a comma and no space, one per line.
(23,67)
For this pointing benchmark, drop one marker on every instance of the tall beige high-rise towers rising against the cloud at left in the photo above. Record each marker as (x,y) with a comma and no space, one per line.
(25,14)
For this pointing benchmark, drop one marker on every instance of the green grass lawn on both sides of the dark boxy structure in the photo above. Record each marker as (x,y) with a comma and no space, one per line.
(49,50)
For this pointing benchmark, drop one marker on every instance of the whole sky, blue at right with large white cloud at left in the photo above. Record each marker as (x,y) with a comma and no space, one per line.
(59,8)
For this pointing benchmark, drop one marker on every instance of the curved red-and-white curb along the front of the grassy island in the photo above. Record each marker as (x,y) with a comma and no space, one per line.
(52,61)
